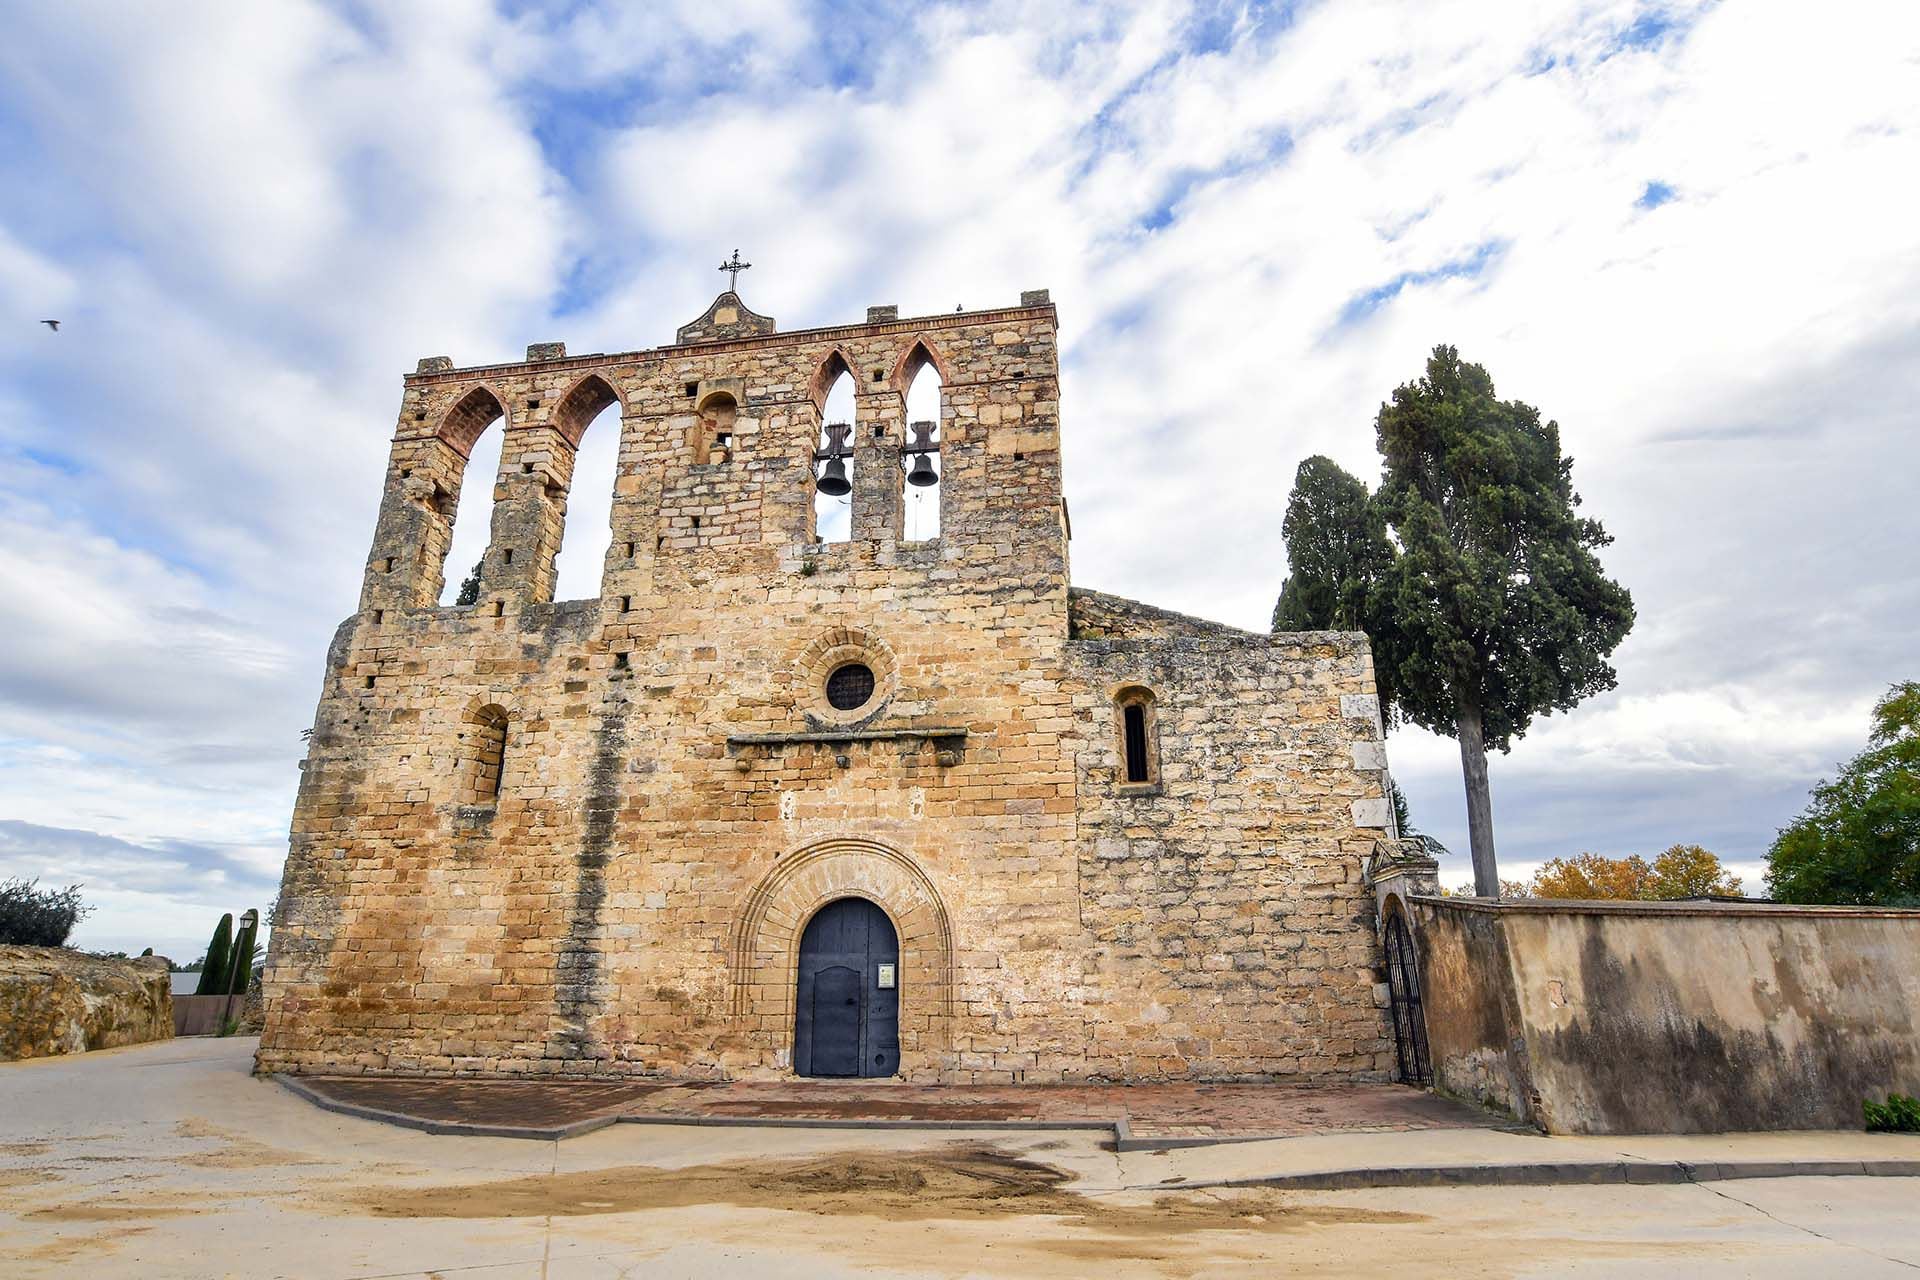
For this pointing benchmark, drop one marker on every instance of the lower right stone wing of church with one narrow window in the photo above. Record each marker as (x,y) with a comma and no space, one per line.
(1230,928)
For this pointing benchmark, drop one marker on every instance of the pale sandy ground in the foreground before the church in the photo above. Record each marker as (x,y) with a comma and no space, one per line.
(172,1162)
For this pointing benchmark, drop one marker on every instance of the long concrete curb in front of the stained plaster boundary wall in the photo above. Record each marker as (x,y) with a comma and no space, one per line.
(1560,1173)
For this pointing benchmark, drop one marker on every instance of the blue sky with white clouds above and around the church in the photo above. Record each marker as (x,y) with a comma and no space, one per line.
(1685,231)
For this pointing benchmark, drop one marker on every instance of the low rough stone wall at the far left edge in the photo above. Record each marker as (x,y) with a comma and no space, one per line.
(57,1001)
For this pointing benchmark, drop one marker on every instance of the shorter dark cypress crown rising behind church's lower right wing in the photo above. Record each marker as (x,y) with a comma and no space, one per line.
(1337,552)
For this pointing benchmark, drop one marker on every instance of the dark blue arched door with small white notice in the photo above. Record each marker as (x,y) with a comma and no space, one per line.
(848,1014)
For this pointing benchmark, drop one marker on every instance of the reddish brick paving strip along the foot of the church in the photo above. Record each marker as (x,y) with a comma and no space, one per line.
(1155,1112)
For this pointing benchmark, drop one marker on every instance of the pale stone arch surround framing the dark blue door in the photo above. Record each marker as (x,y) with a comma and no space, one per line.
(767,943)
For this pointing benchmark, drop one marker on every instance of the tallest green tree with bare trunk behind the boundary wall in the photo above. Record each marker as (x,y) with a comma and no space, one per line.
(1499,600)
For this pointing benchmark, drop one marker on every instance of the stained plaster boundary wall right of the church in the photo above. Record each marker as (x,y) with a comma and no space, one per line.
(1608,1018)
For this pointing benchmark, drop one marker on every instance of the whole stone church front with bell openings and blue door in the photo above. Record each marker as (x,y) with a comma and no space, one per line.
(773,805)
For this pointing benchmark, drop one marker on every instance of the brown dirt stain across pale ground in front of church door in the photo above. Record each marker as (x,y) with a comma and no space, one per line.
(951,1183)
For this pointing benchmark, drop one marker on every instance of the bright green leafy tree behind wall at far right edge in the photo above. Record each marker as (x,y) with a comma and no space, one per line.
(1860,840)
